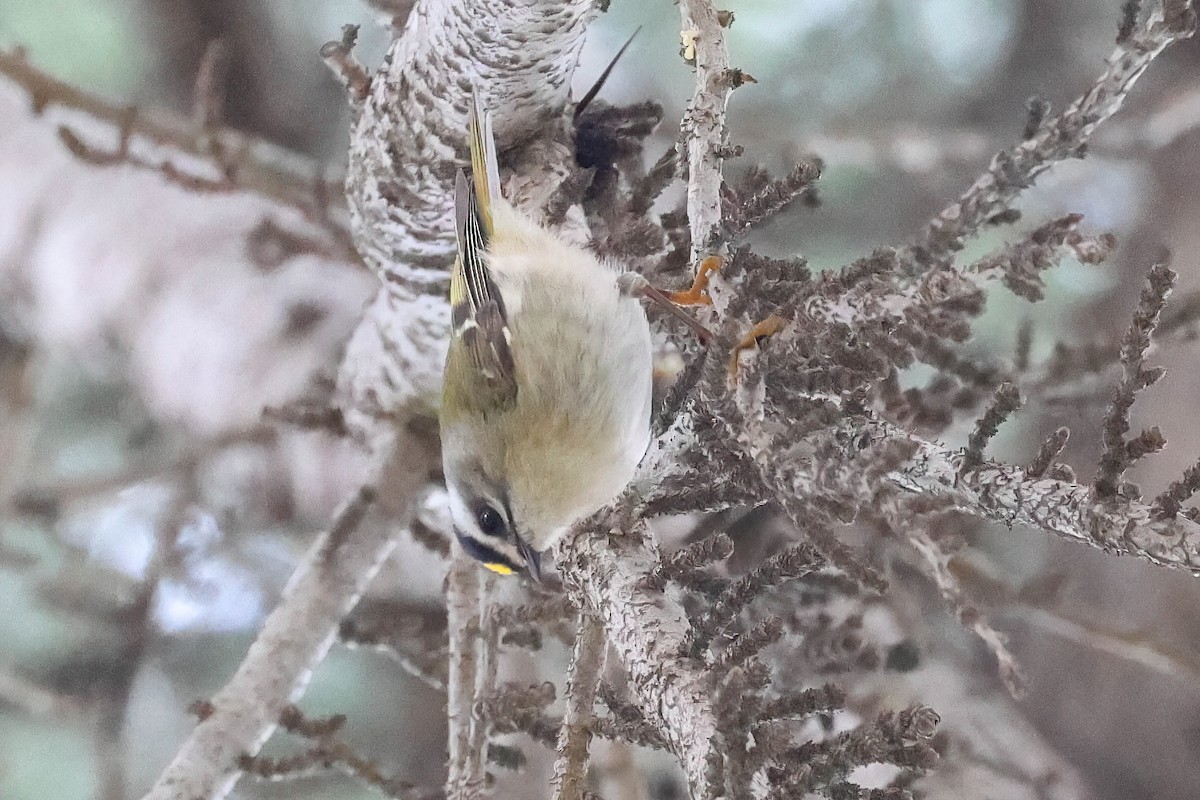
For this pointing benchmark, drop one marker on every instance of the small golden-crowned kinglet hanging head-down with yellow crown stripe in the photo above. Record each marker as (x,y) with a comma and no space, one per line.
(547,404)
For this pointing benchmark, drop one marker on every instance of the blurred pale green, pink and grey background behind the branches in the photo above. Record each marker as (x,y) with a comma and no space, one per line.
(149,518)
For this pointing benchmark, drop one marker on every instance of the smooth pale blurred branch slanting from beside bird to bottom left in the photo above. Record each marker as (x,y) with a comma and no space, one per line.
(299,633)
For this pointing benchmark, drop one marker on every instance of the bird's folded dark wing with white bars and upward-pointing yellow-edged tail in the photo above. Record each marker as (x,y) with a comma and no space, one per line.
(477,309)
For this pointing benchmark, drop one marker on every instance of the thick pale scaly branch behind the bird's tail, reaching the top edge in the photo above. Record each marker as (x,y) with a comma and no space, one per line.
(407,142)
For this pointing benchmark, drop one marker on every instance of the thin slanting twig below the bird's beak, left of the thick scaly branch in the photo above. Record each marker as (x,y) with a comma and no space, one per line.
(572,767)
